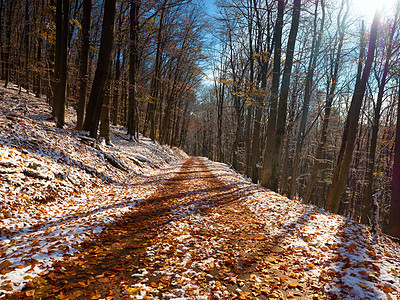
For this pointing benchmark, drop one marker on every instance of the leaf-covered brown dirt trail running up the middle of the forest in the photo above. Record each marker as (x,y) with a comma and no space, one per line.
(192,239)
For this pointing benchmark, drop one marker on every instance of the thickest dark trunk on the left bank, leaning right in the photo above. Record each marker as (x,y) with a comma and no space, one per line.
(99,82)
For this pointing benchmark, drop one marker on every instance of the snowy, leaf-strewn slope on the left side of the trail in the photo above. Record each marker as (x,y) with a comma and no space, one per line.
(56,191)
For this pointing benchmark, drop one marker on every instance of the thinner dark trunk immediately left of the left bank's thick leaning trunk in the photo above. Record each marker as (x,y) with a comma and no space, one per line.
(83,66)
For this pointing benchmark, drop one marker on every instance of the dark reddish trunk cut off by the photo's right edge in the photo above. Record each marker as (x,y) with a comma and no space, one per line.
(394,213)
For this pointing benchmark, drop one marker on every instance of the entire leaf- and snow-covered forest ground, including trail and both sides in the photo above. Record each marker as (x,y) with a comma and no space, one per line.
(144,221)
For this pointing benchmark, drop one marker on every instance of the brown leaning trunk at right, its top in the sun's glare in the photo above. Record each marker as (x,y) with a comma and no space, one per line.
(350,130)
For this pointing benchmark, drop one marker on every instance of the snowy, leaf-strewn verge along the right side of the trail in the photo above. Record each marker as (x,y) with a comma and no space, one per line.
(329,248)
